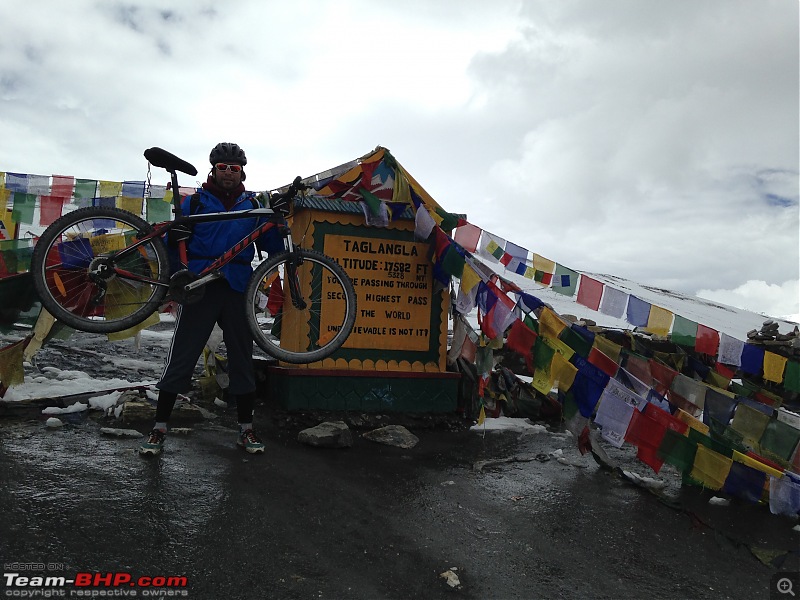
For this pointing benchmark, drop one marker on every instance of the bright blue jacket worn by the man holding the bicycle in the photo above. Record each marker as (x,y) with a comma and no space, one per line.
(211,240)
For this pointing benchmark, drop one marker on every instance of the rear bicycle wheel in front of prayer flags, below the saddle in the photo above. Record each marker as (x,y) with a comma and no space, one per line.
(61,264)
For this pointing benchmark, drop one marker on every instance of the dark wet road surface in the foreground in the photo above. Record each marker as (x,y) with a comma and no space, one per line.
(367,522)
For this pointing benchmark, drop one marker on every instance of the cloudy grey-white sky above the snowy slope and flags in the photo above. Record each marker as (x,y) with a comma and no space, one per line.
(651,140)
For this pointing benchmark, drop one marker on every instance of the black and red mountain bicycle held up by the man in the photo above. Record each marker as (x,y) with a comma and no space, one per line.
(104,269)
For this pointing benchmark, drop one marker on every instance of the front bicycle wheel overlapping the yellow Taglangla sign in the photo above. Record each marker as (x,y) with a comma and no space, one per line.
(309,334)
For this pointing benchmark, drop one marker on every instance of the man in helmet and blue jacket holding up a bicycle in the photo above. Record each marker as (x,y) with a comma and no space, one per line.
(222,302)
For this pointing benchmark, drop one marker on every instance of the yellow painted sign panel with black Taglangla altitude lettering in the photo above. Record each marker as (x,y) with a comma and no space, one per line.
(394,285)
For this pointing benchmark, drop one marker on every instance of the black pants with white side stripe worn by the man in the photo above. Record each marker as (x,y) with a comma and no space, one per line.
(223,305)
